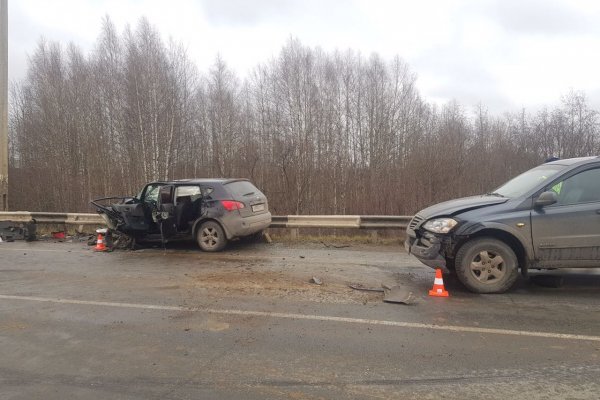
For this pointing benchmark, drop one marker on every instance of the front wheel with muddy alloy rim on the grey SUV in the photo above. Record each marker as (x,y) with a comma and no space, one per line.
(487,265)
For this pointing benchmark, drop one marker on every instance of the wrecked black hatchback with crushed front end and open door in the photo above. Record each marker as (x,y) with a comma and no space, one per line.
(211,211)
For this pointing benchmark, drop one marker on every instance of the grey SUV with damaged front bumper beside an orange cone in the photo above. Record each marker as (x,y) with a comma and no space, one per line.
(545,218)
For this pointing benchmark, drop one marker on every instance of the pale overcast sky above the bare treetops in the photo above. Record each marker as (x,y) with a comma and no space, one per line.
(507,54)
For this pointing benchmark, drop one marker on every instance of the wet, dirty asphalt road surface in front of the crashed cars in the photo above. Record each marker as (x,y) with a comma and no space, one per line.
(247,323)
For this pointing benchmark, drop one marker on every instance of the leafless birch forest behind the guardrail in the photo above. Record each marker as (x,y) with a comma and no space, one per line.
(319,132)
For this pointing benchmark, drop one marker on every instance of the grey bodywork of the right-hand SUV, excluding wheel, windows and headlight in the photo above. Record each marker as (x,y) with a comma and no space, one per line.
(553,236)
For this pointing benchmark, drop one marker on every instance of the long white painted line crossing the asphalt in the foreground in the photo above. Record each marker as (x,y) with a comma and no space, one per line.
(267,314)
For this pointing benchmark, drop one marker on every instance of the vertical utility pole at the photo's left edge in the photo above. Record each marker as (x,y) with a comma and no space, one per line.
(3,105)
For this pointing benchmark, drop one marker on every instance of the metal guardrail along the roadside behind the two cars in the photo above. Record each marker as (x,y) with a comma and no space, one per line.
(373,222)
